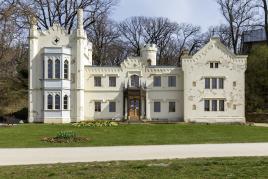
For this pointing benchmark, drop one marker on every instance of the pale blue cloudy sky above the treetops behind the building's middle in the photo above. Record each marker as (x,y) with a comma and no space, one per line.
(199,12)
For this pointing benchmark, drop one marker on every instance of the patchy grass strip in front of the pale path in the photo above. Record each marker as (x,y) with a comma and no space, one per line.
(255,167)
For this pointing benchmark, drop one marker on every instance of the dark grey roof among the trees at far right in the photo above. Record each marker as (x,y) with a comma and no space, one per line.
(254,36)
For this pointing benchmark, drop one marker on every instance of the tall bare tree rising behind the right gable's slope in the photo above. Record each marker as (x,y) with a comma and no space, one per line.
(239,15)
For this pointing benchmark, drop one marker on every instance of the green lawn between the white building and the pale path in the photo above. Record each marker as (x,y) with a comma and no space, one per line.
(30,135)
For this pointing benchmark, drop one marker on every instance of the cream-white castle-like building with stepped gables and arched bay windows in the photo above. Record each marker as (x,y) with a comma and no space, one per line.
(65,87)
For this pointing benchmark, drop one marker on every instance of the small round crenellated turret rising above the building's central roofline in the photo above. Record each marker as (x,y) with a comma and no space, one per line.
(148,54)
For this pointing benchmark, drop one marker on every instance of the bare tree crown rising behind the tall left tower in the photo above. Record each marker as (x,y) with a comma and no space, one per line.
(64,11)
